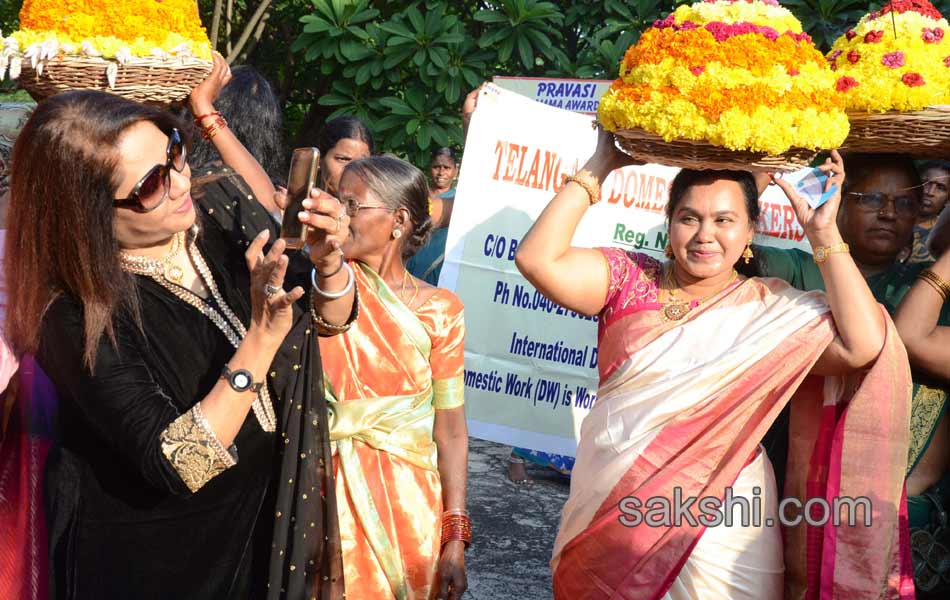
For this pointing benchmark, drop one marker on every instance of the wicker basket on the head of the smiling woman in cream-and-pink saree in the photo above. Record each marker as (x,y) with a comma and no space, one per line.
(689,154)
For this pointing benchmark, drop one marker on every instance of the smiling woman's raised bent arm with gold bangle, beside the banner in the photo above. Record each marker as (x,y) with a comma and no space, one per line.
(575,278)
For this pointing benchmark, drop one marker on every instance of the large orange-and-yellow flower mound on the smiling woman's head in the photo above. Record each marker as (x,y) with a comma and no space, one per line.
(739,74)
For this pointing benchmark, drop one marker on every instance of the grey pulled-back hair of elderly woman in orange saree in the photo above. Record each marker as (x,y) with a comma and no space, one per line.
(397,184)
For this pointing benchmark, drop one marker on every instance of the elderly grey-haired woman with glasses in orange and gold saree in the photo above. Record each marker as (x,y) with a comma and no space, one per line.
(394,381)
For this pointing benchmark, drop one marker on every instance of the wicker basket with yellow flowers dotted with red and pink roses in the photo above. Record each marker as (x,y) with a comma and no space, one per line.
(893,70)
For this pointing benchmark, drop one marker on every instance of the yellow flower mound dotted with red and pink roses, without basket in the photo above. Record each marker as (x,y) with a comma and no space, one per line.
(895,58)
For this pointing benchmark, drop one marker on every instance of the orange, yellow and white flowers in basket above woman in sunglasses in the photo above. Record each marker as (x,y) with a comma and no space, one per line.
(123,31)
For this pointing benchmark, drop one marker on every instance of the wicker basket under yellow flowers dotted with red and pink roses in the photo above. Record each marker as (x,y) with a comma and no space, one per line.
(924,133)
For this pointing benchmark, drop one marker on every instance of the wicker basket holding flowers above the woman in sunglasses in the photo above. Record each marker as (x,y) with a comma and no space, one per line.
(149,80)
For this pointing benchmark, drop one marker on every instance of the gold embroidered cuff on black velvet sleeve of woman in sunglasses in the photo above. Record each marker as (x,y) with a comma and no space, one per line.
(194,451)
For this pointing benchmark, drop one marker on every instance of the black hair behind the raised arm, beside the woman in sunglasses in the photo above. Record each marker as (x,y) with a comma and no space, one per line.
(254,114)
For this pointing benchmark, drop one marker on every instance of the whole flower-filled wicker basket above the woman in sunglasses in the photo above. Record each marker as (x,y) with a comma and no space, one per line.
(154,52)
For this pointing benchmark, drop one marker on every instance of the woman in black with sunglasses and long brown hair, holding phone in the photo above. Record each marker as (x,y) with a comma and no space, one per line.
(179,360)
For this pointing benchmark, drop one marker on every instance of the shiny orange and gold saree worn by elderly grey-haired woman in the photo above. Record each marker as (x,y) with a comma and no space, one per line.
(385,379)
